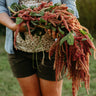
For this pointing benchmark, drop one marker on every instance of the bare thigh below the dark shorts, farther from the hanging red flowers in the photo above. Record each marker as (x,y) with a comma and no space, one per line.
(30,85)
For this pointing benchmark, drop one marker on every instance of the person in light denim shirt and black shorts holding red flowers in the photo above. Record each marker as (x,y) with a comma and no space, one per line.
(33,81)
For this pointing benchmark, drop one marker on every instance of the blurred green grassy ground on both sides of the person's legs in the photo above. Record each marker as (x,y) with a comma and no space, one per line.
(10,87)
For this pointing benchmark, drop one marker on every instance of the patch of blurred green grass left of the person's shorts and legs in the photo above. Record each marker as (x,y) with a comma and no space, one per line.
(8,85)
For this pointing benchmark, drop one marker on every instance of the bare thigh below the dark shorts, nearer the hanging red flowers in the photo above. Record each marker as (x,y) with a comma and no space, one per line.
(51,88)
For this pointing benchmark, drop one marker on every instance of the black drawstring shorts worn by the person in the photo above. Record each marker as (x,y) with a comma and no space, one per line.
(26,64)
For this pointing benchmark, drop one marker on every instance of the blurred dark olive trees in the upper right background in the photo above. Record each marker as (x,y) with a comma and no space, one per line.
(87,13)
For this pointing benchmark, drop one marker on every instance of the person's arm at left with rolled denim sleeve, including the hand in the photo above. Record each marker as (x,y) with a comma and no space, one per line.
(5,19)
